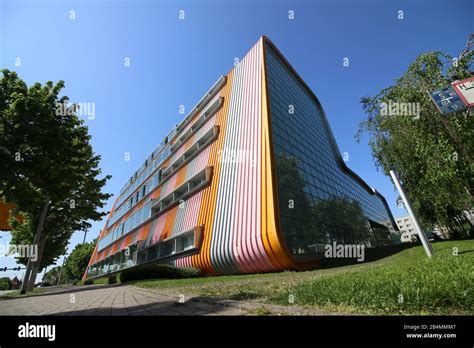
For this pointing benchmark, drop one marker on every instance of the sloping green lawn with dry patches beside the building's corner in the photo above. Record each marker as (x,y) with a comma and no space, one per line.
(405,283)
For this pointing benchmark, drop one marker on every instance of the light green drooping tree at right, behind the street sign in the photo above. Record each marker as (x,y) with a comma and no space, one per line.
(431,153)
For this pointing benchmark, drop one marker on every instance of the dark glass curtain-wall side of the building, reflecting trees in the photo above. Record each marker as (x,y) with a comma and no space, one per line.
(320,201)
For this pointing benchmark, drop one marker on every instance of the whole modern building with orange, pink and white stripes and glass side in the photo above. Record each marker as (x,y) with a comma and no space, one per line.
(250,181)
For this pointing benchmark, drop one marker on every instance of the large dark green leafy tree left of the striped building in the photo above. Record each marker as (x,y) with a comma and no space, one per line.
(45,154)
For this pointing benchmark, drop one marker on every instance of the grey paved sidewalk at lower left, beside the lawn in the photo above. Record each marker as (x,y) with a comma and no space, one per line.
(112,300)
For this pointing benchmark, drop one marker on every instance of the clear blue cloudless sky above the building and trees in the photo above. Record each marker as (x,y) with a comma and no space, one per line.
(173,62)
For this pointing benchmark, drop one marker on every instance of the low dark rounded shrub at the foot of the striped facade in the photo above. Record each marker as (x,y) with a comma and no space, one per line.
(156,271)
